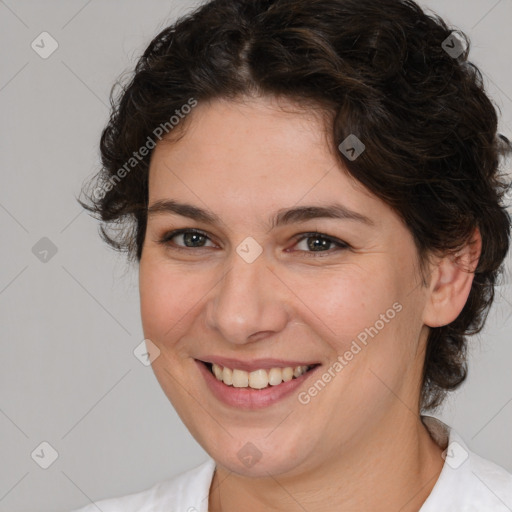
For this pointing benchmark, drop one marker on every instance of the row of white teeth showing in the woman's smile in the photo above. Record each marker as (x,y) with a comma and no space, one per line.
(258,379)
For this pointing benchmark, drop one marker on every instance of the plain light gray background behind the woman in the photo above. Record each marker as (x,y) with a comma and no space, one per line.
(70,324)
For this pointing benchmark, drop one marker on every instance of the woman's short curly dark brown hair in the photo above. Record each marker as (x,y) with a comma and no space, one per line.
(393,75)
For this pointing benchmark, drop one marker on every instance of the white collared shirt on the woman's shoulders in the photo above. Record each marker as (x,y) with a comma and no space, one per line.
(467,483)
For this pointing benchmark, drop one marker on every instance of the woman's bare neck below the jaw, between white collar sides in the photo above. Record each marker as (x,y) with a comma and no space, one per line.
(389,469)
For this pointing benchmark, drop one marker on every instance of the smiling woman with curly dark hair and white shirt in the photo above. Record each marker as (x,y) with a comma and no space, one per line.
(312,192)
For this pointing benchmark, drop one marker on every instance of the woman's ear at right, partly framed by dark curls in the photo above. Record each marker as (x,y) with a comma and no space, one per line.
(451,282)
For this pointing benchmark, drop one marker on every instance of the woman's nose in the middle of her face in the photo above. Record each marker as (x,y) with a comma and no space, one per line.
(248,303)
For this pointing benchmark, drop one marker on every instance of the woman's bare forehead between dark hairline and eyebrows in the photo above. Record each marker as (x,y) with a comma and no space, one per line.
(254,156)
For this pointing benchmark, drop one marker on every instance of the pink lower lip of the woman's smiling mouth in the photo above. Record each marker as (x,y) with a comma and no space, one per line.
(248,398)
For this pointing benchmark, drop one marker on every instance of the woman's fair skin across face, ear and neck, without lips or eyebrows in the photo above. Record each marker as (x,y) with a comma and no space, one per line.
(359,443)
